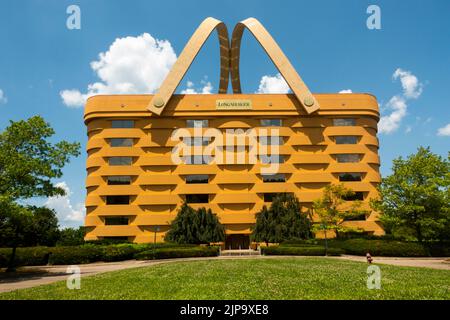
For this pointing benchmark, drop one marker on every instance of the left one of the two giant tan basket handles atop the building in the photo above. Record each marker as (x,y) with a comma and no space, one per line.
(190,51)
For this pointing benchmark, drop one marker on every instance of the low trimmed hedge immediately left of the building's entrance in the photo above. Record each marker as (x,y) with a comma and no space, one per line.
(171,253)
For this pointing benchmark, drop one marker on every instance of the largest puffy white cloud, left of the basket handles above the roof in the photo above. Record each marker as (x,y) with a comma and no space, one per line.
(132,65)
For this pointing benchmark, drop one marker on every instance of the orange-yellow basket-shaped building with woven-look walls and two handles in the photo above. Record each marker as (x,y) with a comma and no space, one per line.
(143,165)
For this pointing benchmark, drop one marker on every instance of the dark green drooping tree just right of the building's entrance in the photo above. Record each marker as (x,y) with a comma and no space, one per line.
(284,220)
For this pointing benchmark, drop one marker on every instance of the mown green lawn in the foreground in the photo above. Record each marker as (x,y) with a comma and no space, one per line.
(278,278)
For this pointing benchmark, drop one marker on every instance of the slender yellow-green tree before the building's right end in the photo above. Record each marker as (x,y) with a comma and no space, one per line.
(332,212)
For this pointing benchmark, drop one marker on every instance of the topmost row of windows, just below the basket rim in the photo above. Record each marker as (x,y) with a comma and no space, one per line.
(202,123)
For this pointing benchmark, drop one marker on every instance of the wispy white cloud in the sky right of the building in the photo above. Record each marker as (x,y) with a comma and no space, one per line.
(398,106)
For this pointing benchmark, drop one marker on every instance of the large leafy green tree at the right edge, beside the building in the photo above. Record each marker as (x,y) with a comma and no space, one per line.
(414,199)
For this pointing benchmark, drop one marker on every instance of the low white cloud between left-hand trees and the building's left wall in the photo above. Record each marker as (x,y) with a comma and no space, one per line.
(68,214)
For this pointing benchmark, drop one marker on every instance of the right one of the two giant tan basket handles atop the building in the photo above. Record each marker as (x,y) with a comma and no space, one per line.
(298,87)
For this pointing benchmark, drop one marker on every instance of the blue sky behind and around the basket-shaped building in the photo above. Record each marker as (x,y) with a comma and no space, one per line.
(327,41)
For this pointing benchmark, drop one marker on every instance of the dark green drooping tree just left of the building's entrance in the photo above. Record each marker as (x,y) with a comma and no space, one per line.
(195,226)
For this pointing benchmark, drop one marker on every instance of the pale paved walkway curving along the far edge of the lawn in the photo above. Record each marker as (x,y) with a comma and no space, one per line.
(29,277)
